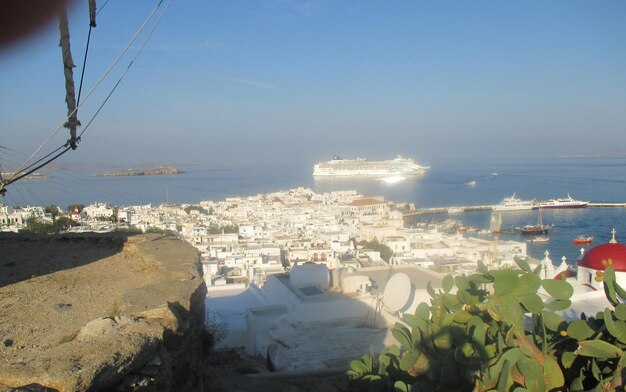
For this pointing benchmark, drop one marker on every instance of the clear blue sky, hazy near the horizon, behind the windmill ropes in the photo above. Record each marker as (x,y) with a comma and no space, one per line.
(233,81)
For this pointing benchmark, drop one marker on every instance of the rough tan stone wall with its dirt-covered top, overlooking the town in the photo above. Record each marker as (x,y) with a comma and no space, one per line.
(100,312)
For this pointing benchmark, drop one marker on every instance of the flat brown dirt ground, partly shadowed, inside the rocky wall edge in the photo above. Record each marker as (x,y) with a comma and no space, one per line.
(45,298)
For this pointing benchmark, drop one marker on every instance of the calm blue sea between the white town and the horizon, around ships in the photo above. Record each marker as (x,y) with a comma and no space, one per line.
(601,180)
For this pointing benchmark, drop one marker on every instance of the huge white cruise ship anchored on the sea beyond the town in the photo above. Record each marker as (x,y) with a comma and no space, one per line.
(362,167)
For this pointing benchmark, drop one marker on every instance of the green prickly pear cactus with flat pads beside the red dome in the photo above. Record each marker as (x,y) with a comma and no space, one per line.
(495,332)
